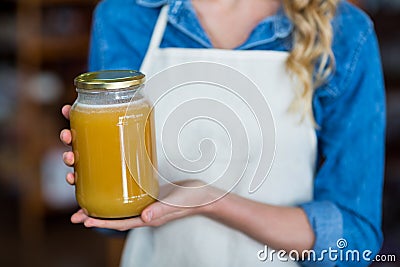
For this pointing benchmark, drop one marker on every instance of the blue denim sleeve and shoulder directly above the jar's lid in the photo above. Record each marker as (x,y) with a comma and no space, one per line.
(121,33)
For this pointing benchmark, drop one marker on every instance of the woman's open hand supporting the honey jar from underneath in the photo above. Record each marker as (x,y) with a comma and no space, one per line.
(159,213)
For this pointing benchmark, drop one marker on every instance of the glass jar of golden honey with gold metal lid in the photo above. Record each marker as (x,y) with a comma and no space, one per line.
(113,144)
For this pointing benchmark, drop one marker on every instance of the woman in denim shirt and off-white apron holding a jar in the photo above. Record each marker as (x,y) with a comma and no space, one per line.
(331,47)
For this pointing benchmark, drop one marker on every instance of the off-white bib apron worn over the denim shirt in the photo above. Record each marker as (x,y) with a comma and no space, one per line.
(290,178)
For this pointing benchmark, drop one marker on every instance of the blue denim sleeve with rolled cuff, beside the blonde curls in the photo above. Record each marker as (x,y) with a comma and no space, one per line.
(346,211)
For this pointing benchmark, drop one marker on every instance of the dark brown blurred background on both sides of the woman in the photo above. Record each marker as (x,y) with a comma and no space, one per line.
(43,46)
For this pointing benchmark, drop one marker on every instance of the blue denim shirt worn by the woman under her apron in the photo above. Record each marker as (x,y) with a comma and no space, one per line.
(349,109)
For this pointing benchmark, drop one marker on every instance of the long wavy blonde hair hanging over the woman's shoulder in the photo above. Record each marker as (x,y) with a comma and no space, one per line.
(311,59)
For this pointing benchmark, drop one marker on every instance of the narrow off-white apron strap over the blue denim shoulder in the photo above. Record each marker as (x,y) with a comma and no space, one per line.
(157,36)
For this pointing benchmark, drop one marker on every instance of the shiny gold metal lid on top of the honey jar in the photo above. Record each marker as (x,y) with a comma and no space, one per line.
(109,79)
